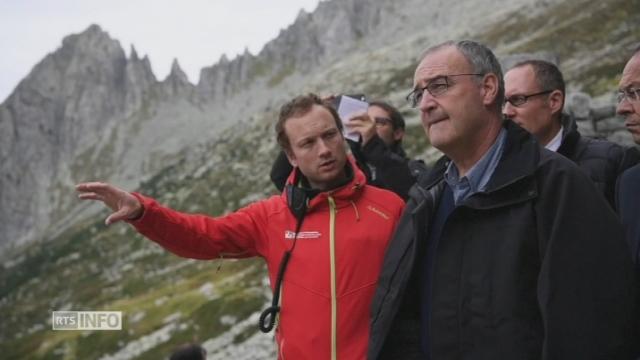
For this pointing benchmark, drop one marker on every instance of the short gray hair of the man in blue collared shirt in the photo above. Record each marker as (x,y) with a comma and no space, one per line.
(481,59)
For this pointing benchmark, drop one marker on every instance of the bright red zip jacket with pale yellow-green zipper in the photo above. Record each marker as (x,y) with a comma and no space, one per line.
(333,270)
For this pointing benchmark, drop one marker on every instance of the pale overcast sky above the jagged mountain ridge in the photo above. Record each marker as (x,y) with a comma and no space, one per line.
(196,32)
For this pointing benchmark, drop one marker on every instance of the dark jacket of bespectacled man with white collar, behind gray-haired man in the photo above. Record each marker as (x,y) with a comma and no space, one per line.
(603,161)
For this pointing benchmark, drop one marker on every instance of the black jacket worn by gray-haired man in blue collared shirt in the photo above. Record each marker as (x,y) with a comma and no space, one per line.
(535,267)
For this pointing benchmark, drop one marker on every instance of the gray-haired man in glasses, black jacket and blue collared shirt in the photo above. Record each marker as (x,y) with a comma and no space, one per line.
(505,250)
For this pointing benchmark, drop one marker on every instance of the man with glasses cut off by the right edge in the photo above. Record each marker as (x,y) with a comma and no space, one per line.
(628,194)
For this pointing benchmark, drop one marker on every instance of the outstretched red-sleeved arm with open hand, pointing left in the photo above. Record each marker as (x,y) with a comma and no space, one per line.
(188,235)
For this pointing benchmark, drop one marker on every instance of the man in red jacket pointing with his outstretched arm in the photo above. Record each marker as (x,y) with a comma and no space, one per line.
(328,229)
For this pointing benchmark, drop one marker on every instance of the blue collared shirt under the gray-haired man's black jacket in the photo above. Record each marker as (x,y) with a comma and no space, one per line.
(478,177)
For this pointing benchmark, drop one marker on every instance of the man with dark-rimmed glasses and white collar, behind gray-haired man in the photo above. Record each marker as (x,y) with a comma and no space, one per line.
(535,96)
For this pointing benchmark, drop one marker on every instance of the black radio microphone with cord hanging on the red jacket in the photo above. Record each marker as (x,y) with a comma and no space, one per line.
(297,201)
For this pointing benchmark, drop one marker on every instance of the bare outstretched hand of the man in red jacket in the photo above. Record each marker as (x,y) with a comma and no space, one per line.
(124,205)
